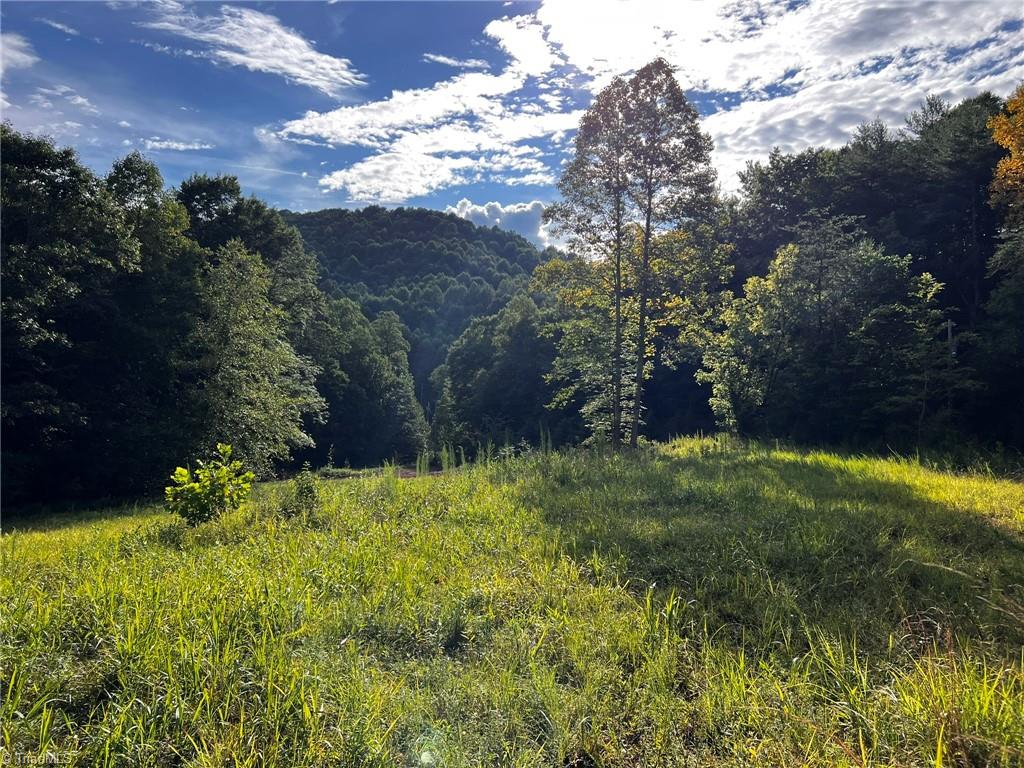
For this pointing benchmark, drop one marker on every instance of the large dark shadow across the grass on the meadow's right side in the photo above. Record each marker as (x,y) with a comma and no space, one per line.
(767,547)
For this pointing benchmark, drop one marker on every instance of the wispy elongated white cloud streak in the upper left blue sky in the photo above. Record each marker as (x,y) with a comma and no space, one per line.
(244,37)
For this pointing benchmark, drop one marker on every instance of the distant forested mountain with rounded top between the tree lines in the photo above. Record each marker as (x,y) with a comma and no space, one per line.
(437,271)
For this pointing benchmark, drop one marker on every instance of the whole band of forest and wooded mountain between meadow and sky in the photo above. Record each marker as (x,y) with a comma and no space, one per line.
(868,296)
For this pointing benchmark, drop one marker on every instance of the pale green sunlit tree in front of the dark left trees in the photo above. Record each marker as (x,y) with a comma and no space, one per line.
(249,387)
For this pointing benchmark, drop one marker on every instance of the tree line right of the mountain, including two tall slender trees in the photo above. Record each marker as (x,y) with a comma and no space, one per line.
(868,296)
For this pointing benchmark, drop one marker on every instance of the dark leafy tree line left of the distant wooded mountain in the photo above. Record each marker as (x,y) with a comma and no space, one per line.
(143,326)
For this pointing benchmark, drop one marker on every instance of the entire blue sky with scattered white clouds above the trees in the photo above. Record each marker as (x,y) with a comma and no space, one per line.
(471,107)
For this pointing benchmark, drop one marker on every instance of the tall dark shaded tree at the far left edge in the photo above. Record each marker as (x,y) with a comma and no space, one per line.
(65,243)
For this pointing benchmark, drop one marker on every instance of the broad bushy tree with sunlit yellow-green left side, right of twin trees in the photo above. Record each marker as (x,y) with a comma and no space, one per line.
(839,343)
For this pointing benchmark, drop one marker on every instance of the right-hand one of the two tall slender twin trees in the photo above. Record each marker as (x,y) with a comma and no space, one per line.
(671,181)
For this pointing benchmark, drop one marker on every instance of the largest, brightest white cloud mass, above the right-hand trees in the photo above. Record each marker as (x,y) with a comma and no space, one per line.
(801,76)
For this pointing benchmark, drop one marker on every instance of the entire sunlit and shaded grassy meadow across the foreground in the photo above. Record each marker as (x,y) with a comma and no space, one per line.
(701,604)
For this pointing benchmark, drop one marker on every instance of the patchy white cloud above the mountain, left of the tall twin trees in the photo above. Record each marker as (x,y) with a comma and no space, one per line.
(470,129)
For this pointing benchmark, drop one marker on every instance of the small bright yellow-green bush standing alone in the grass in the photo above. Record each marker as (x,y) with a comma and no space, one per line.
(220,486)
